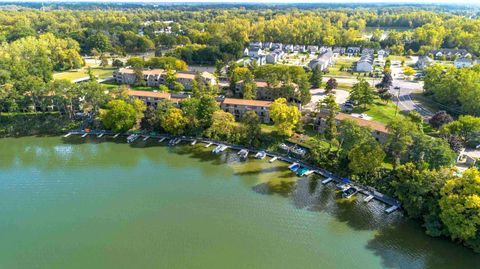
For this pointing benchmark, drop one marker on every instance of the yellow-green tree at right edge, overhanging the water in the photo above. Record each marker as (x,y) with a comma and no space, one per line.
(460,205)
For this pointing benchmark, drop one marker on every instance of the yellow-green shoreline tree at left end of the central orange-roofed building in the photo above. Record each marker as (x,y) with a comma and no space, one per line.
(223,126)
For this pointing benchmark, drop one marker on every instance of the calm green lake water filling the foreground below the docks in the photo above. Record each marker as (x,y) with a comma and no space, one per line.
(101,203)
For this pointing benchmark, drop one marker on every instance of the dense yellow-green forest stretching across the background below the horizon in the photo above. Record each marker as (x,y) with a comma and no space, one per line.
(220,34)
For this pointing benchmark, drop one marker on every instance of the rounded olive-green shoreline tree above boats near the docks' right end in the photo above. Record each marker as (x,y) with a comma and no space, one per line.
(366,158)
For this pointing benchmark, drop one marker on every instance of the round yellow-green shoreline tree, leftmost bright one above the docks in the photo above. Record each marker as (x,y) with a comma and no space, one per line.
(119,116)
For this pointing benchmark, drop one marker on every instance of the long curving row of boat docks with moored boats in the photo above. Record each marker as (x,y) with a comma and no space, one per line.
(295,164)
